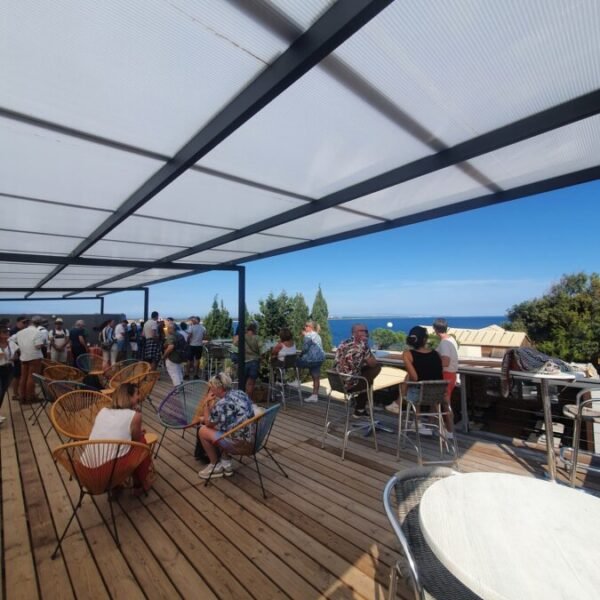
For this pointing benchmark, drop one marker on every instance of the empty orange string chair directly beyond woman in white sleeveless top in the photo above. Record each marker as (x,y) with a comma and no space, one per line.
(73,414)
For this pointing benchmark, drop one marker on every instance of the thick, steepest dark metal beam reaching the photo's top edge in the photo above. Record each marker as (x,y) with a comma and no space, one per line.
(339,23)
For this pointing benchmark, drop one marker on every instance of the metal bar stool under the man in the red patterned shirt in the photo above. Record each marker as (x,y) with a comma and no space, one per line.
(337,383)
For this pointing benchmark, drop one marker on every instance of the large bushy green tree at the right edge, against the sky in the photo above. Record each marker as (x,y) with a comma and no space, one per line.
(564,322)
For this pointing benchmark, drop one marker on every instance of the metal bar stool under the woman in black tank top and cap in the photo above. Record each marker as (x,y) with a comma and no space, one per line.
(426,399)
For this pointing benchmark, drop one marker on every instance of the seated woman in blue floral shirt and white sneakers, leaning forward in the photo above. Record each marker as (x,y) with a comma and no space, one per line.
(224,409)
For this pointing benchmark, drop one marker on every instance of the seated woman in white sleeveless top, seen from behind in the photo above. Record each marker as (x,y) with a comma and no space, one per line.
(124,422)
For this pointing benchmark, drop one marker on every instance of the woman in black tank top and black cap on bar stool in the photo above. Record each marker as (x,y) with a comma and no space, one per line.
(421,363)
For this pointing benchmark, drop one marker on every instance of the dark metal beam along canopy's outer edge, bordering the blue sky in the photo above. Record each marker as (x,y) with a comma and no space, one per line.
(530,189)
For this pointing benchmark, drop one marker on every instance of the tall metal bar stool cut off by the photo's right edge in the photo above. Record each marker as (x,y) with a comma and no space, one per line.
(585,410)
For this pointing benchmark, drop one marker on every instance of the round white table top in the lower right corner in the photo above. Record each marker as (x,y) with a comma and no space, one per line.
(513,537)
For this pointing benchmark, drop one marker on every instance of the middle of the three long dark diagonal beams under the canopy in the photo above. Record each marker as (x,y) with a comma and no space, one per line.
(558,116)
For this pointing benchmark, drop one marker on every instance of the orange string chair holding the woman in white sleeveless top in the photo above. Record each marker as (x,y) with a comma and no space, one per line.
(99,466)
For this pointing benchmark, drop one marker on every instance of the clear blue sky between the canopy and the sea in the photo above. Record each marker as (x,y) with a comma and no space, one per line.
(475,263)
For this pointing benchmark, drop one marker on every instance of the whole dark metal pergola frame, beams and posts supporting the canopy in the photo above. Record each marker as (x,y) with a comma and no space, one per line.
(306,50)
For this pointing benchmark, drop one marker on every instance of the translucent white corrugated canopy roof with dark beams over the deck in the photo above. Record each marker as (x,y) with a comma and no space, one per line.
(146,140)
